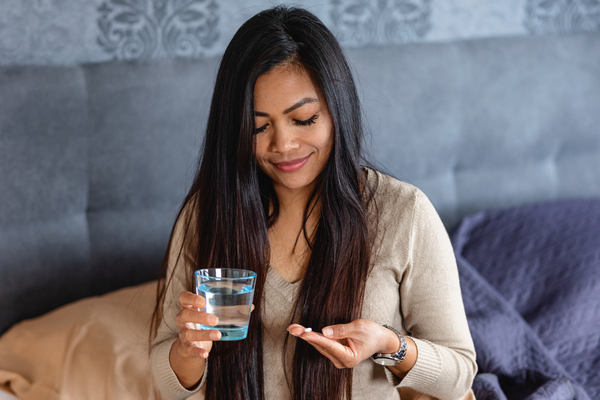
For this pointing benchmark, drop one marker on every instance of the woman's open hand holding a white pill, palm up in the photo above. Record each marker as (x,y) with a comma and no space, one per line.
(346,345)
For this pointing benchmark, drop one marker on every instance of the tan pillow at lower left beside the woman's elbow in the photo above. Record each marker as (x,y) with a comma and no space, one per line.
(95,348)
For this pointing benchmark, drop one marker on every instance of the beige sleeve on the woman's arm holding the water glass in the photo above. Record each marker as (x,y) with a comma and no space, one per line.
(164,376)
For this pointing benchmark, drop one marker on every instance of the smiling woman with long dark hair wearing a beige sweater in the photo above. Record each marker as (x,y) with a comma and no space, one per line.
(337,248)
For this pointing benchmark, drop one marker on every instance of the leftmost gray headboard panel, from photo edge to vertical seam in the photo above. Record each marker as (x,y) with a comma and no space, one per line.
(44,246)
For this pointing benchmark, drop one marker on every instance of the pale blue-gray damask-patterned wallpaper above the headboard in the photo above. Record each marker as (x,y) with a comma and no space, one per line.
(76,31)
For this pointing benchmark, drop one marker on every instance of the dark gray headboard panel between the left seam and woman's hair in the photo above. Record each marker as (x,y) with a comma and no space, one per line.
(146,124)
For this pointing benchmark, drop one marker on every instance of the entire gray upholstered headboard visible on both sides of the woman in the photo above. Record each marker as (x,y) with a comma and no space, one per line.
(95,160)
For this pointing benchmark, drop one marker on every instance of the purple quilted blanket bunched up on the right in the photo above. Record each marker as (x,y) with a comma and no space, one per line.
(530,278)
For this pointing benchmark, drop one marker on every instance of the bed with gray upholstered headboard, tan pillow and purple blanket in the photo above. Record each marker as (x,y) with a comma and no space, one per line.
(501,134)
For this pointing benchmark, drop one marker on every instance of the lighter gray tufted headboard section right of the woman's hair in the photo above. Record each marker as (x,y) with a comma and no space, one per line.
(487,123)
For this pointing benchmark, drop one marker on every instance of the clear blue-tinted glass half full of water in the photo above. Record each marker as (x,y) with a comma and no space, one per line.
(228,293)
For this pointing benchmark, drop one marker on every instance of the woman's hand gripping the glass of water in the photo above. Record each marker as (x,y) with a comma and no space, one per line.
(194,342)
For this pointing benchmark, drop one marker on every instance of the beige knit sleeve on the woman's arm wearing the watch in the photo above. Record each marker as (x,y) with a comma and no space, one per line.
(431,303)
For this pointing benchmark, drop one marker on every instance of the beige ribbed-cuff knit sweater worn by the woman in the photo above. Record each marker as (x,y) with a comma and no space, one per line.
(413,286)
